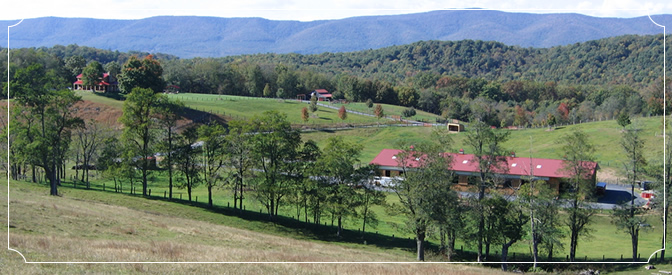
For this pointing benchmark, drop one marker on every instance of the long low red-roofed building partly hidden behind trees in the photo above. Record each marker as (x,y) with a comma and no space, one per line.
(519,169)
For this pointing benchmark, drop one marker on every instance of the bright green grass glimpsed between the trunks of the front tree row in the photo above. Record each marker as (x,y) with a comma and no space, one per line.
(604,240)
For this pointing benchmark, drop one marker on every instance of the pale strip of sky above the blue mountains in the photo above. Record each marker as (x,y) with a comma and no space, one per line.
(310,10)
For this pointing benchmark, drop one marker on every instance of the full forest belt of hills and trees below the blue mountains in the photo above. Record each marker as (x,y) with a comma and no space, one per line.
(505,85)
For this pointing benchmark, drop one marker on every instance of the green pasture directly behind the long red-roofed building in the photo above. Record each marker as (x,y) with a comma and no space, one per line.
(540,143)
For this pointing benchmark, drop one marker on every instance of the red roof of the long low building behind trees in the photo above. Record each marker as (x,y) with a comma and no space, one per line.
(551,168)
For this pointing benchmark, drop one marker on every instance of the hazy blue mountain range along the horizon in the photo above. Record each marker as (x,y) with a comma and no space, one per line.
(189,36)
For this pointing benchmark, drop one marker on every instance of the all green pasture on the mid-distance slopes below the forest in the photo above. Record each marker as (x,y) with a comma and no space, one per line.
(605,135)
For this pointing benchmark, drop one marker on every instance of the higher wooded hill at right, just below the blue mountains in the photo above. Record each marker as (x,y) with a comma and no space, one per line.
(631,60)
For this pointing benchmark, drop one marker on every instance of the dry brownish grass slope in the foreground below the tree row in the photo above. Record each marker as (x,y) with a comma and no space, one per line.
(47,229)
